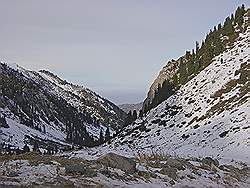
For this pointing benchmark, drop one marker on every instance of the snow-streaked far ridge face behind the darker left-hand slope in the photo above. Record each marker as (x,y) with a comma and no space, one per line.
(84,99)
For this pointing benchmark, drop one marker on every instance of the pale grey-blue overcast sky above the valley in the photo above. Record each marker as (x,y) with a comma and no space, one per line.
(114,47)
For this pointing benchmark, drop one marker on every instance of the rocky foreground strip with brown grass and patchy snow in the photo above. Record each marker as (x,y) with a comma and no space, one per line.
(116,171)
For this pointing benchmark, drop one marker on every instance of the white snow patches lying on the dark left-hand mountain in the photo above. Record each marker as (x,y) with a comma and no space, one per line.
(73,94)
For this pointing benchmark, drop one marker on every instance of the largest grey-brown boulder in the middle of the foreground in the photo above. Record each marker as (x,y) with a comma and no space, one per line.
(116,161)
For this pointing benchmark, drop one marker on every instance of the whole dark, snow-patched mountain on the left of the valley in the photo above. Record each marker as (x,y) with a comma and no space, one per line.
(40,106)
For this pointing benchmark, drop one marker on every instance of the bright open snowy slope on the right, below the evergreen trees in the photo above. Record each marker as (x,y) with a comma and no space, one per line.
(208,116)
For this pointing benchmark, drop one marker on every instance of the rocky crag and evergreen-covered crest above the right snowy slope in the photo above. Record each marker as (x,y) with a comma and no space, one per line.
(178,72)
